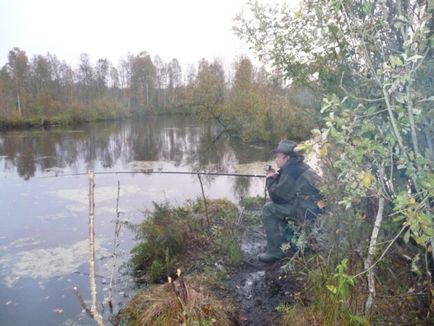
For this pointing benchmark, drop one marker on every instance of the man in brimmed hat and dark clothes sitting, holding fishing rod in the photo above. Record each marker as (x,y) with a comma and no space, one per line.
(294,196)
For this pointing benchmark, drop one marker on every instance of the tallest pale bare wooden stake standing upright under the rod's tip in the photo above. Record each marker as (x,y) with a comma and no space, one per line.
(92,270)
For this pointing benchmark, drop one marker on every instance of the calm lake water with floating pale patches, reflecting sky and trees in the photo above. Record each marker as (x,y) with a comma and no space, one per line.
(44,210)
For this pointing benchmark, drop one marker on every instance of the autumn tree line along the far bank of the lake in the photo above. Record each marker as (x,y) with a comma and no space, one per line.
(249,104)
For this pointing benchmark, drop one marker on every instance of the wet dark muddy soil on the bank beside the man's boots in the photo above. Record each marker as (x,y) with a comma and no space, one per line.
(259,288)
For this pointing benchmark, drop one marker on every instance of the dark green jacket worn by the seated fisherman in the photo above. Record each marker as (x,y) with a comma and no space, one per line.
(295,181)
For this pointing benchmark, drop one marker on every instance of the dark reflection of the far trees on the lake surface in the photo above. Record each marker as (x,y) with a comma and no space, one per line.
(177,139)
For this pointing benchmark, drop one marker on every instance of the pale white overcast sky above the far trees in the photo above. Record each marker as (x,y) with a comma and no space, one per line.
(186,29)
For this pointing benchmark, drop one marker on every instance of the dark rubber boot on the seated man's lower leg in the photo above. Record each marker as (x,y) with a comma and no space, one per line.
(274,241)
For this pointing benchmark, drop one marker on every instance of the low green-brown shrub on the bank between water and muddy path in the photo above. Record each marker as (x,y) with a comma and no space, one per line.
(180,237)
